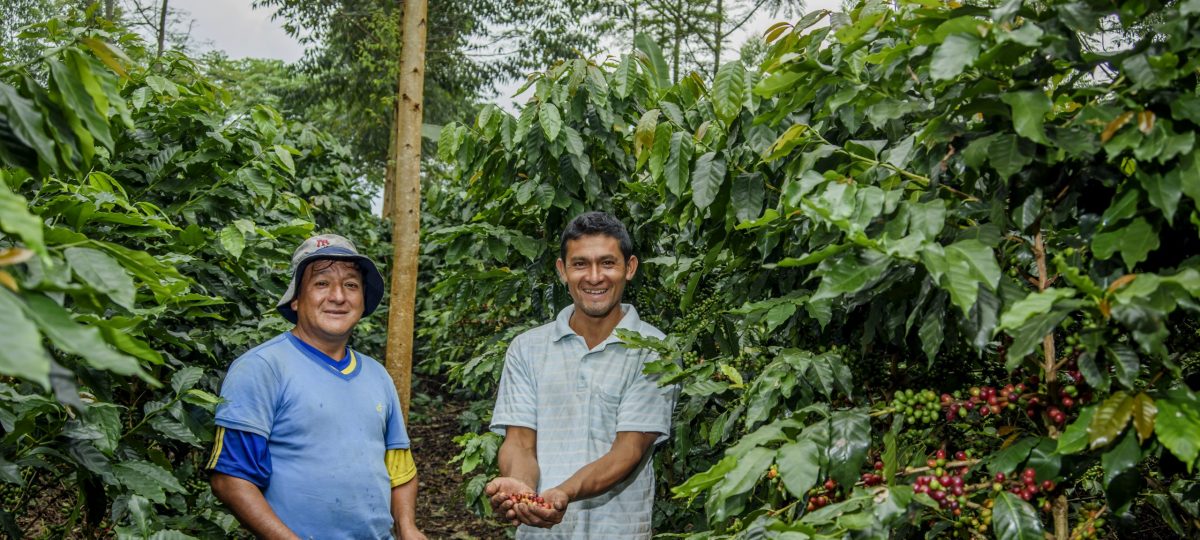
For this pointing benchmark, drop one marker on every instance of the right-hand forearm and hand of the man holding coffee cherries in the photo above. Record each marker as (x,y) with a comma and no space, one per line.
(597,478)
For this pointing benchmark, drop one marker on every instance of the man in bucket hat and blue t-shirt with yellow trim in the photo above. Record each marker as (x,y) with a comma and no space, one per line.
(311,440)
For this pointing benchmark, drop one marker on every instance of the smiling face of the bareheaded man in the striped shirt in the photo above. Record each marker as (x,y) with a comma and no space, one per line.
(596,274)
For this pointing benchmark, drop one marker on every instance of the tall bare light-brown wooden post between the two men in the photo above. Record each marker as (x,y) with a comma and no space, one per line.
(406,218)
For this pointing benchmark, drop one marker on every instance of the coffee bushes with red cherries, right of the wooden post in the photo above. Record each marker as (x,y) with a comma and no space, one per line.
(929,271)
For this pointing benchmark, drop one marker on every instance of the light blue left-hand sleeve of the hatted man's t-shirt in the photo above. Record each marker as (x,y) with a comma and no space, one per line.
(250,397)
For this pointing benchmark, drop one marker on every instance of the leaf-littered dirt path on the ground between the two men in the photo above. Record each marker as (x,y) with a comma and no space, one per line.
(441,512)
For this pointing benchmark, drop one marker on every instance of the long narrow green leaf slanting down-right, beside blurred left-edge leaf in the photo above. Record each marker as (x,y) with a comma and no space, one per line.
(83,341)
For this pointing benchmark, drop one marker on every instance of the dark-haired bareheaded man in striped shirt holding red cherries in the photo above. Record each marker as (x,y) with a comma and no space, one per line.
(580,419)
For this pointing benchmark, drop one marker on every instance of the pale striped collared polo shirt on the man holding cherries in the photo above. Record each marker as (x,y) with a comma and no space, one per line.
(578,400)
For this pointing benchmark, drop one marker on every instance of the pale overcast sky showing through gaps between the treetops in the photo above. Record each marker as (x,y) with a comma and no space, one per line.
(242,31)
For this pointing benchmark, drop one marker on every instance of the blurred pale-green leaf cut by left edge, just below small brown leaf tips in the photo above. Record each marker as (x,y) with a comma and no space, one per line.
(21,344)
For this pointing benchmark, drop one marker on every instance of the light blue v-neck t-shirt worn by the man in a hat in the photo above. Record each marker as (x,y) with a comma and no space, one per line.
(327,429)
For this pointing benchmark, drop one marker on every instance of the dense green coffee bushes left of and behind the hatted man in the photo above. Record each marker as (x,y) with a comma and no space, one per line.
(146,230)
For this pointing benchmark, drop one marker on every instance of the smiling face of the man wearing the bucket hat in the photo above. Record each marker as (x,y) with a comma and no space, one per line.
(329,303)
